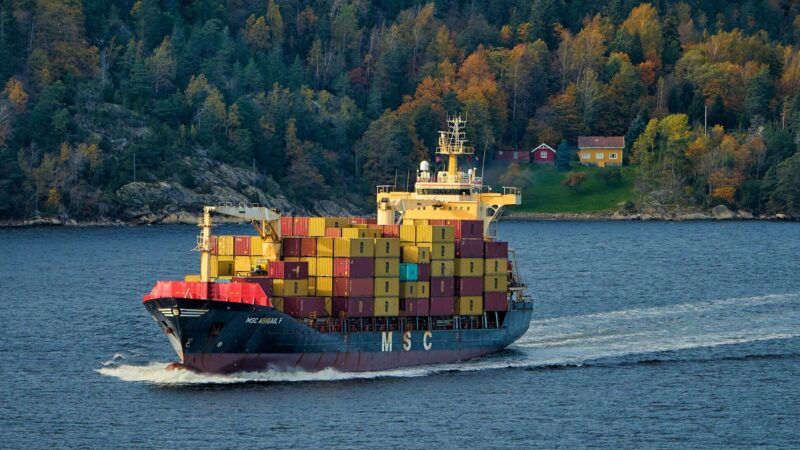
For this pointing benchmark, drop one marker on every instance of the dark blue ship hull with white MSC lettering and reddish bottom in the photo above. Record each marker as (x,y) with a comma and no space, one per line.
(223,337)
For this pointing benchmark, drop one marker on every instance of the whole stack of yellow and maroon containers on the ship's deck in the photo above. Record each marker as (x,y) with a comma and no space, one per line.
(343,267)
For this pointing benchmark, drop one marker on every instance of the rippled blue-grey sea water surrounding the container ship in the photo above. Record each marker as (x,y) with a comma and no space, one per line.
(645,335)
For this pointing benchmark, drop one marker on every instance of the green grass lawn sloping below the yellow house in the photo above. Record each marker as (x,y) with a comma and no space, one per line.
(545,193)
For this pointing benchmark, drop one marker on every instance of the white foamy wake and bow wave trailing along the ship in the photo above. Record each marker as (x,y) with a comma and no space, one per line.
(635,335)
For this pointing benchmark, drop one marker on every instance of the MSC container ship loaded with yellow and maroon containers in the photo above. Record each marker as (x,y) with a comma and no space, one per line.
(423,282)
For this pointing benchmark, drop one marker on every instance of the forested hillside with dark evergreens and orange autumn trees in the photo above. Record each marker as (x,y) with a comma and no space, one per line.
(315,100)
